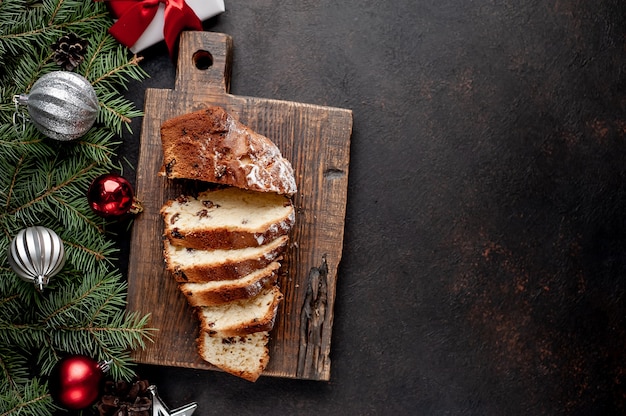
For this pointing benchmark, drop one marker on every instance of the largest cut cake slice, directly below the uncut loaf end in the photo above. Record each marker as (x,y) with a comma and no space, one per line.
(227,218)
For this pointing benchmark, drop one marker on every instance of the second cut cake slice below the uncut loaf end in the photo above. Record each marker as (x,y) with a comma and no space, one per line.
(191,265)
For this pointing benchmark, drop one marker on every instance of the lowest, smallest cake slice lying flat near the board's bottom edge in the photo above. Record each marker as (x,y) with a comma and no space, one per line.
(244,356)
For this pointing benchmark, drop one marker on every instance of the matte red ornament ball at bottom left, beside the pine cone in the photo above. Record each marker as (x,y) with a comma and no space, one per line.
(75,382)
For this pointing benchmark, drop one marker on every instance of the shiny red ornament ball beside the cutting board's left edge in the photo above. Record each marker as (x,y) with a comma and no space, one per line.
(110,195)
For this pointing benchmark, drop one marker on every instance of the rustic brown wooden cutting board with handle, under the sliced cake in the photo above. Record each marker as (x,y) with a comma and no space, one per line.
(316,139)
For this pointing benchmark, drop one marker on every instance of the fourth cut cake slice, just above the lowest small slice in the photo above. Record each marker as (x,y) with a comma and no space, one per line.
(243,316)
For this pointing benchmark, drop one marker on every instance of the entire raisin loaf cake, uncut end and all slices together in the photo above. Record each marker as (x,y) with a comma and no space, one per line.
(226,263)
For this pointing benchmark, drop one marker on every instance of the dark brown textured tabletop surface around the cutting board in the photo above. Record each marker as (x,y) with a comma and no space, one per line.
(484,266)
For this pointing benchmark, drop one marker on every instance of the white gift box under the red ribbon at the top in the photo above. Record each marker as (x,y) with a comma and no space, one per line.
(153,33)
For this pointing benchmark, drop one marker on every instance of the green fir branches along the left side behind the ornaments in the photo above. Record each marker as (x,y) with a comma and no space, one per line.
(44,182)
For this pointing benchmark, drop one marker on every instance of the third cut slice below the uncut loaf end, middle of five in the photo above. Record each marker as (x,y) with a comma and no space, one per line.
(222,291)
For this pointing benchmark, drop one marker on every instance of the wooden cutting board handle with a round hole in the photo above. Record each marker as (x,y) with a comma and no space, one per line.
(204,62)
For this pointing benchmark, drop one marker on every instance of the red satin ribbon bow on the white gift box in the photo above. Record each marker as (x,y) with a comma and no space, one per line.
(136,17)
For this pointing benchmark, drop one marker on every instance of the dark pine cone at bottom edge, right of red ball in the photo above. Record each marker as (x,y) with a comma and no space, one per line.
(125,399)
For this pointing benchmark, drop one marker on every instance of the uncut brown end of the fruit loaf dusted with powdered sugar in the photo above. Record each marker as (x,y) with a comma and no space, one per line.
(210,145)
